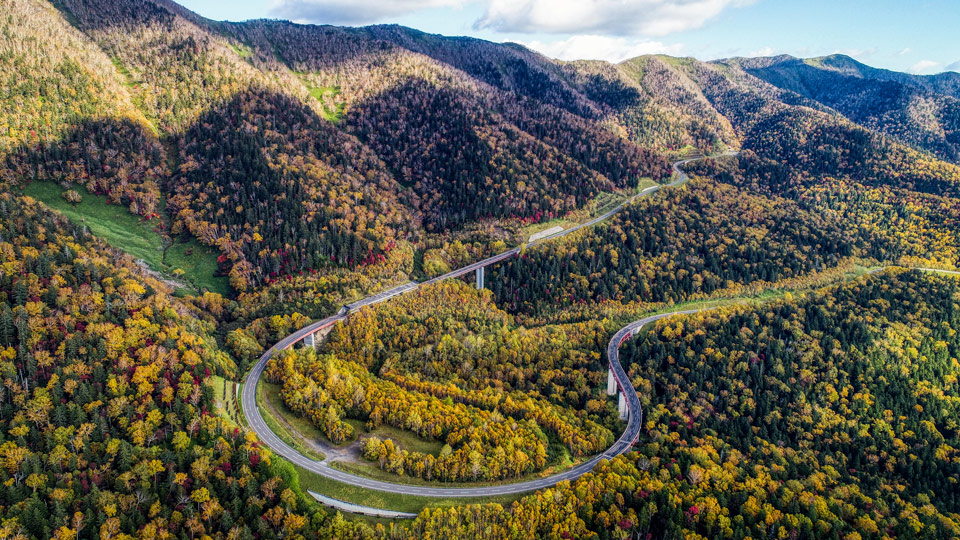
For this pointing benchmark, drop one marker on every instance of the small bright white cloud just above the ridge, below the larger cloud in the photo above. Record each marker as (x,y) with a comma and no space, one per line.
(593,47)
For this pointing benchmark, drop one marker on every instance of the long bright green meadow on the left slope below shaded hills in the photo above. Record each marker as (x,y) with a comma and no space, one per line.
(122,230)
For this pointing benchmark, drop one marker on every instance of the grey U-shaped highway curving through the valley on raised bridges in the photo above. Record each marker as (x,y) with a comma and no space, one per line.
(622,445)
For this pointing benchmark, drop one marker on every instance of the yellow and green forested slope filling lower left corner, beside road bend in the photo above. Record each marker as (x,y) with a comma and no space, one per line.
(106,424)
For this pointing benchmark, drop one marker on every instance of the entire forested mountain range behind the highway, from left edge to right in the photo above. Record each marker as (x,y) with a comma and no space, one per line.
(297,148)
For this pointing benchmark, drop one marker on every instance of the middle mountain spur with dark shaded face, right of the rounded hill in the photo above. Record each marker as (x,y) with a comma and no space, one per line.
(471,148)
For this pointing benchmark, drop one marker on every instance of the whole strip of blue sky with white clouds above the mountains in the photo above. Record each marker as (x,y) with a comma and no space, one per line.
(913,36)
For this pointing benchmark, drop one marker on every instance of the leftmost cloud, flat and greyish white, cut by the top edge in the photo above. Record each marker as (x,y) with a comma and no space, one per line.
(351,12)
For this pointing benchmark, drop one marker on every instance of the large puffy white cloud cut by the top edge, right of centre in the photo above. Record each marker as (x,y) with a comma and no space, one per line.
(601,17)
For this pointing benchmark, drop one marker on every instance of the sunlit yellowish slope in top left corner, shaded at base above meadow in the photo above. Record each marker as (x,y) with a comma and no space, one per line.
(66,114)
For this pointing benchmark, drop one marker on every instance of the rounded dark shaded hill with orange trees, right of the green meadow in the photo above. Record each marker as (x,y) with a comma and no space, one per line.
(281,191)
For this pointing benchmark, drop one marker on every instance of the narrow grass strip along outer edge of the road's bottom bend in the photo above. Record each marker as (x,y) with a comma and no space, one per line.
(389,501)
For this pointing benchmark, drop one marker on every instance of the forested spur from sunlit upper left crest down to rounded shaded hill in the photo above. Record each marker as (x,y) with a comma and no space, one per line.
(251,160)
